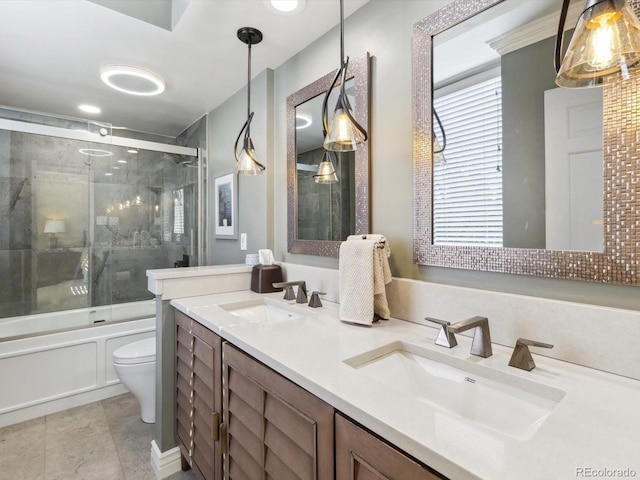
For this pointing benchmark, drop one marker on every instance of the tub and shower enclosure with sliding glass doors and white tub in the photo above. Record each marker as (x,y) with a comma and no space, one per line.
(83,214)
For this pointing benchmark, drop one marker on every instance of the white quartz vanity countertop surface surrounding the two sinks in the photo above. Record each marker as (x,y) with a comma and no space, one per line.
(593,432)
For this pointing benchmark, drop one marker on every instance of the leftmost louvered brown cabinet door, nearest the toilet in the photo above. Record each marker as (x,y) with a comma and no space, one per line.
(198,397)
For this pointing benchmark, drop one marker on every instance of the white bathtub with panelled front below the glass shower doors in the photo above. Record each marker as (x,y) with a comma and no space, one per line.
(68,365)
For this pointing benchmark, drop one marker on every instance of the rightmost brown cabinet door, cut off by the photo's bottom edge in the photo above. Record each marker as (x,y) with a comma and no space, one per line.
(362,456)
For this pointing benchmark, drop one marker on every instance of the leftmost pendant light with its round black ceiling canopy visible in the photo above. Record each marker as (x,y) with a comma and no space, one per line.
(246,161)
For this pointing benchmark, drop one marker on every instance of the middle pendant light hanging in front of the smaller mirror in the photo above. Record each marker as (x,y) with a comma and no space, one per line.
(344,133)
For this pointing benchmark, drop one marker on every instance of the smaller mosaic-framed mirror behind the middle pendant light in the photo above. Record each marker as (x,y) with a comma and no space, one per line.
(321,215)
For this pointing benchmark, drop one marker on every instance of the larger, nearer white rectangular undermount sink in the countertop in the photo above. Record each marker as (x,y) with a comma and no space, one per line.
(498,400)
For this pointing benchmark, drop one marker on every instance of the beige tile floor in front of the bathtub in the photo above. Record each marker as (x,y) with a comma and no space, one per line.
(104,440)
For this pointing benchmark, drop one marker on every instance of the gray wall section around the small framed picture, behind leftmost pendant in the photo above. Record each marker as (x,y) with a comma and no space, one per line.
(255,209)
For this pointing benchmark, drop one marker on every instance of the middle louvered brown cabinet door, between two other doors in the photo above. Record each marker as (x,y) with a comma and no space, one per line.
(276,430)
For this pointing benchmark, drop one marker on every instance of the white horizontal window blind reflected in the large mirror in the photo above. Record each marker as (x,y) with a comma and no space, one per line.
(467,192)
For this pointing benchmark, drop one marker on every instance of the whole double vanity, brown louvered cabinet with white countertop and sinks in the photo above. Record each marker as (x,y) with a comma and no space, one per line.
(286,385)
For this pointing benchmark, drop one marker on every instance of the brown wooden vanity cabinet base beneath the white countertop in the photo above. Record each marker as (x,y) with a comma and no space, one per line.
(236,411)
